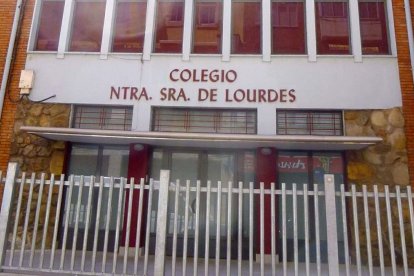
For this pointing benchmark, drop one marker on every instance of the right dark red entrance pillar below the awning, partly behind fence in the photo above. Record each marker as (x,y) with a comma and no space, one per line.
(266,173)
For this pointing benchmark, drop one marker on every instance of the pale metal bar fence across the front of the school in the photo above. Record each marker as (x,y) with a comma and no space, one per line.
(89,226)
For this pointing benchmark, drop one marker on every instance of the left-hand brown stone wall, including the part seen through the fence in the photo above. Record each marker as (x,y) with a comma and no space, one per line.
(38,155)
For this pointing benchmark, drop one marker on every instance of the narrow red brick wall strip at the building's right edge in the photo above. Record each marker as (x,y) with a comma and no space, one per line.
(406,79)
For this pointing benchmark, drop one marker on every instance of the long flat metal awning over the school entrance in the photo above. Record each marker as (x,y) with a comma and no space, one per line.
(203,140)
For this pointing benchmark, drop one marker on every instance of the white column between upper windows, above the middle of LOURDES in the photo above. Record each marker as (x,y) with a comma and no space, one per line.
(266,29)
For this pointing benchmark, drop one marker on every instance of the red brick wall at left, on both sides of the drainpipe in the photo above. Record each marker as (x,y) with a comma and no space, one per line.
(7,11)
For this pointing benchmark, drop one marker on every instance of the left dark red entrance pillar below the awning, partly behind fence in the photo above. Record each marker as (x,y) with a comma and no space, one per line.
(137,168)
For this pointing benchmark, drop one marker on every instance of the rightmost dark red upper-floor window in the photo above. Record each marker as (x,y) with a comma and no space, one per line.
(373,22)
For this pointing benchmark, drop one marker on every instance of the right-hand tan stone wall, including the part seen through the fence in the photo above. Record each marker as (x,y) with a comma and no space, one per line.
(383,164)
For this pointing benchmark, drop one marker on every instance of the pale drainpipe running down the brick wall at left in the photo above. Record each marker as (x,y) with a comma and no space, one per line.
(9,56)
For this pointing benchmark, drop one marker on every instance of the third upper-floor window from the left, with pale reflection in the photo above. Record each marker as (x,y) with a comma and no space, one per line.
(129,29)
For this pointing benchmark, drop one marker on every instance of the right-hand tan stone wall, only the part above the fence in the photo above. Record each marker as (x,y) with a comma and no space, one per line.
(385,163)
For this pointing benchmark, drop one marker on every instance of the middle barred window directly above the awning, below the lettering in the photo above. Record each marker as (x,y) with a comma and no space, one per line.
(204,120)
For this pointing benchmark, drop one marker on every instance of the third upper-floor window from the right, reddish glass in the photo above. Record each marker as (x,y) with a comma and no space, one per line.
(288,27)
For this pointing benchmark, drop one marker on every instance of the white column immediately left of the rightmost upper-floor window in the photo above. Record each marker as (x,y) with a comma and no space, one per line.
(355,30)
